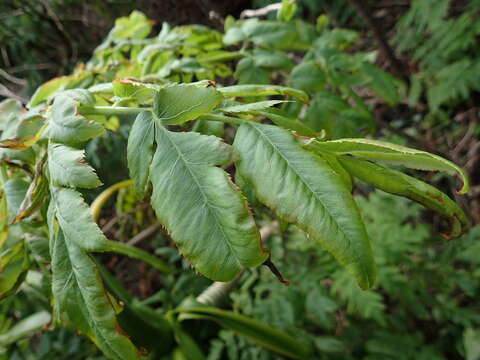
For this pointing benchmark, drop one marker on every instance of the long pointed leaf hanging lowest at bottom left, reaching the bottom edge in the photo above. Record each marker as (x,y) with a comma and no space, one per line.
(80,298)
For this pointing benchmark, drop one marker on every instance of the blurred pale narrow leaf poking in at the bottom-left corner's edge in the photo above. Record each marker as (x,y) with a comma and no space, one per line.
(25,328)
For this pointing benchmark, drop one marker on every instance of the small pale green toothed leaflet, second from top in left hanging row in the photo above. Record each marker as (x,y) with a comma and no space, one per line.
(67,167)
